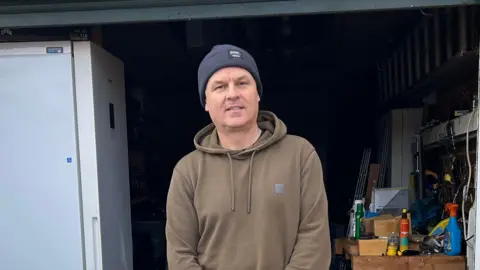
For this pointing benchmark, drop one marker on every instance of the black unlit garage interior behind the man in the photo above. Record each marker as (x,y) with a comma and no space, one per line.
(320,75)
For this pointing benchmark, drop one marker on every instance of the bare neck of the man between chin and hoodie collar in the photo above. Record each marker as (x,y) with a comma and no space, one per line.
(239,139)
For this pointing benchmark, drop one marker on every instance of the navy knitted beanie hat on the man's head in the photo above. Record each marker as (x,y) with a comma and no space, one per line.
(222,56)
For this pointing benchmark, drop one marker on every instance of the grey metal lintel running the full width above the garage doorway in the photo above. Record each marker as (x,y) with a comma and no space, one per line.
(72,12)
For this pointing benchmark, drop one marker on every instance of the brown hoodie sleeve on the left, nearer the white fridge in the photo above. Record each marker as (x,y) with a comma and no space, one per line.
(182,225)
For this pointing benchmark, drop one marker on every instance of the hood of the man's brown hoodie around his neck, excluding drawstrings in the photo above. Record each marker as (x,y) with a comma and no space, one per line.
(273,130)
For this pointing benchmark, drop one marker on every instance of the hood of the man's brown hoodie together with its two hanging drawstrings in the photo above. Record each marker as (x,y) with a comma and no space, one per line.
(273,130)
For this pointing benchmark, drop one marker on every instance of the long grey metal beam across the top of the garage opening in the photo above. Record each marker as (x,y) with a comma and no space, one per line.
(273,8)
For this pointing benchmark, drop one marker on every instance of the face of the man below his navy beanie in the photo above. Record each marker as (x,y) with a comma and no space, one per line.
(232,98)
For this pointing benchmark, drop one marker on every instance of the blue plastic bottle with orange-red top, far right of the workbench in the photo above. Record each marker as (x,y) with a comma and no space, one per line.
(453,235)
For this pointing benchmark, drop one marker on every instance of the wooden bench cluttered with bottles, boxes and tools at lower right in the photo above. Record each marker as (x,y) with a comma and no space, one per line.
(381,237)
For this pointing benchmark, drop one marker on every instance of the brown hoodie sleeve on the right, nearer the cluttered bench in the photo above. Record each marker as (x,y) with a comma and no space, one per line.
(312,250)
